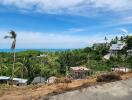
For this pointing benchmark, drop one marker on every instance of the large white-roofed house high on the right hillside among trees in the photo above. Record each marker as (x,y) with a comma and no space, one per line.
(116,48)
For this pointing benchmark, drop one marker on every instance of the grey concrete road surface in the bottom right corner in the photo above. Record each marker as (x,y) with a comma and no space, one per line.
(121,90)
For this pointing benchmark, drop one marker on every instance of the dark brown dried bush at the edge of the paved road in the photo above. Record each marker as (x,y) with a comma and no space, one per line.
(109,77)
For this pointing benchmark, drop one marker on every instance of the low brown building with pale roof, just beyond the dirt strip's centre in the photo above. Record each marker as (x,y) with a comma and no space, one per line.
(79,72)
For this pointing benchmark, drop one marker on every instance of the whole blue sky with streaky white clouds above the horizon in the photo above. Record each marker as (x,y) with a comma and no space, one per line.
(63,23)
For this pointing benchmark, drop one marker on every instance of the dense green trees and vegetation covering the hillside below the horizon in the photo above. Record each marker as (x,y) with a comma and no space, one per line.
(28,64)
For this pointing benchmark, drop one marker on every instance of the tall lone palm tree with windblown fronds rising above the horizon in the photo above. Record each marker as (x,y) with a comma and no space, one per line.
(13,36)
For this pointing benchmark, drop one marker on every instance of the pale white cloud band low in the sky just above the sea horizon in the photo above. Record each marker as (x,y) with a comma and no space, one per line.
(50,40)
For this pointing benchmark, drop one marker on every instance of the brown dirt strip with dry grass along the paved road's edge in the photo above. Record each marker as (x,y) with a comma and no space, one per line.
(35,92)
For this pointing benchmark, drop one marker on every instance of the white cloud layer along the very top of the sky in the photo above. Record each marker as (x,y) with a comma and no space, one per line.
(69,6)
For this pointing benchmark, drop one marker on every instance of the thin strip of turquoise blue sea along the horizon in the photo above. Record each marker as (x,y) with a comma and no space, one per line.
(42,50)
